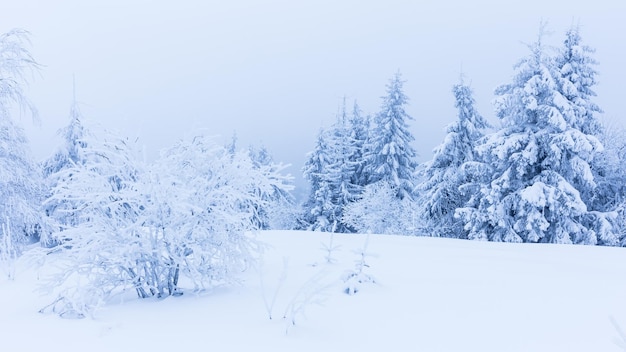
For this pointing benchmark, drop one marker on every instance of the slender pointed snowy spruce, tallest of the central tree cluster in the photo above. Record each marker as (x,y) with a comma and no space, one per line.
(389,155)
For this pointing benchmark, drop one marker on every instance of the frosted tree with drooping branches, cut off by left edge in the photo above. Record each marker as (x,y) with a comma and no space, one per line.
(21,187)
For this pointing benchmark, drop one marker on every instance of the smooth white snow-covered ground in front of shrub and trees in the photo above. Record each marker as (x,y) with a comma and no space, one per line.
(430,295)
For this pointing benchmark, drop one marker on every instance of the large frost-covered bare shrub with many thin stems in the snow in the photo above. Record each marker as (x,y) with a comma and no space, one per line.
(190,215)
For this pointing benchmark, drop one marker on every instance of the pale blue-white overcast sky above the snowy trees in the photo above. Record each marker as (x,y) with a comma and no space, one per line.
(276,71)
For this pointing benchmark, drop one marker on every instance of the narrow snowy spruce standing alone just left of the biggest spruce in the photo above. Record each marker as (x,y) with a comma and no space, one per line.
(448,177)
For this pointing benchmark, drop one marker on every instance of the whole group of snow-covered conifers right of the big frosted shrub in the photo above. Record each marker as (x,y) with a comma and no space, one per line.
(548,172)
